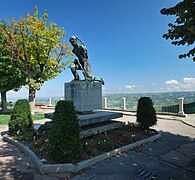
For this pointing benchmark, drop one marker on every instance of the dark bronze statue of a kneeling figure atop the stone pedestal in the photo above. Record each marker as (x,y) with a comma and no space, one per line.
(82,63)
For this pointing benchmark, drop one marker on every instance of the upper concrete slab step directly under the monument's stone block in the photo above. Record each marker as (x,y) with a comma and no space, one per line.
(95,117)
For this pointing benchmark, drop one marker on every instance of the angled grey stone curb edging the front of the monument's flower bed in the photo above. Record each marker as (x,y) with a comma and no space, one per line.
(69,167)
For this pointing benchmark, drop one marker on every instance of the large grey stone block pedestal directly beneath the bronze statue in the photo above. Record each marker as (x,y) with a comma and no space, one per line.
(86,95)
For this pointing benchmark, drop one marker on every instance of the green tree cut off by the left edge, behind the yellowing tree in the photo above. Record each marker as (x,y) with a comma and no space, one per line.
(11,78)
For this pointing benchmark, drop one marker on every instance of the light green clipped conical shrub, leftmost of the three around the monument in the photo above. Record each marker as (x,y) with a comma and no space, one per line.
(21,119)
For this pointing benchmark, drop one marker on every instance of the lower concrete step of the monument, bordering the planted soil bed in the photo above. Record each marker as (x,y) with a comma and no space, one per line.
(97,128)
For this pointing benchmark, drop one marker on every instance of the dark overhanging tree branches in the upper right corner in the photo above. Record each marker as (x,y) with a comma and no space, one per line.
(183,31)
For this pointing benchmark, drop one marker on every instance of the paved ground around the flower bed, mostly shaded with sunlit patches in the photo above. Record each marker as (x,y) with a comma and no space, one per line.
(172,157)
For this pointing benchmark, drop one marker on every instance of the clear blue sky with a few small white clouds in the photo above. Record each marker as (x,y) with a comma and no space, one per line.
(124,42)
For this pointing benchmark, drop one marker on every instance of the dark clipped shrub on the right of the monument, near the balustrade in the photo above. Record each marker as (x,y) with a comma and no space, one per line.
(146,114)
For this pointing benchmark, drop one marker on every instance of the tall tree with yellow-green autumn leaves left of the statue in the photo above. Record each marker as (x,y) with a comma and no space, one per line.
(37,50)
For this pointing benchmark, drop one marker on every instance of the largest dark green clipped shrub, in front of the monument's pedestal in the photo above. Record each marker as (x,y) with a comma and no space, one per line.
(64,132)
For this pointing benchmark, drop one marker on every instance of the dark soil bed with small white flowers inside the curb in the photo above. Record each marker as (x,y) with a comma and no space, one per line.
(94,145)
